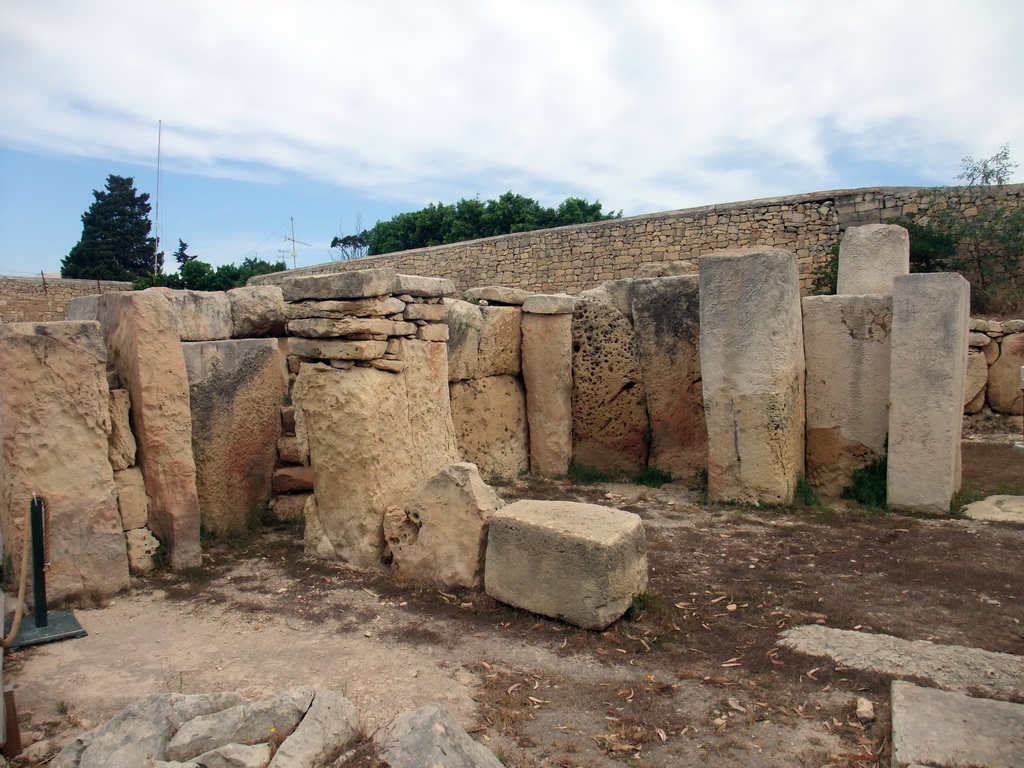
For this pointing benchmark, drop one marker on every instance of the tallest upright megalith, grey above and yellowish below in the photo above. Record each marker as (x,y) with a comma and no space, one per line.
(752,362)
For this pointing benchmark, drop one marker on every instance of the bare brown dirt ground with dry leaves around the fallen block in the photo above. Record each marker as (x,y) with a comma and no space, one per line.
(691,676)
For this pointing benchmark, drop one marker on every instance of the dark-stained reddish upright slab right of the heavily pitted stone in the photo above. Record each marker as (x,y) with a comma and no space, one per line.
(667,320)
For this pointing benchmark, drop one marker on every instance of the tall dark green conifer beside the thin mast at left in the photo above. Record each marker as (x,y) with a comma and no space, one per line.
(116,242)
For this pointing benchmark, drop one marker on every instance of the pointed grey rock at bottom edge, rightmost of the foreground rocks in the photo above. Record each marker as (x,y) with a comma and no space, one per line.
(431,737)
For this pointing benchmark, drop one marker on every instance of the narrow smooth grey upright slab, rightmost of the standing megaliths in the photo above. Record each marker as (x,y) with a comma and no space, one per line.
(926,393)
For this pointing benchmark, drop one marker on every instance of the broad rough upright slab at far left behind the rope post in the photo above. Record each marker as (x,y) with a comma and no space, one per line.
(55,418)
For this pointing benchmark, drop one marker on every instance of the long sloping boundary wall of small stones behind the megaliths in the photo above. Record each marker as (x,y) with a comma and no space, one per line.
(583,257)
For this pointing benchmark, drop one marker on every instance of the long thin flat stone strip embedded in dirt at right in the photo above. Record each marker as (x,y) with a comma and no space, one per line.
(950,667)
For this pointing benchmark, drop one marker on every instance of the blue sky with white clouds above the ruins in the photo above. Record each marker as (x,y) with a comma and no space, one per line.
(329,113)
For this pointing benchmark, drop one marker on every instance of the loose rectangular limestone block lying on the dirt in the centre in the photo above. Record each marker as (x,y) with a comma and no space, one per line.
(582,564)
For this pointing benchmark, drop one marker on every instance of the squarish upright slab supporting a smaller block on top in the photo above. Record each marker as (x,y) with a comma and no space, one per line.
(847,349)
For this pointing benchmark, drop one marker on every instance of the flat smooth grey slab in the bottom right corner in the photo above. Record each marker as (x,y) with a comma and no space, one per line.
(941,729)
